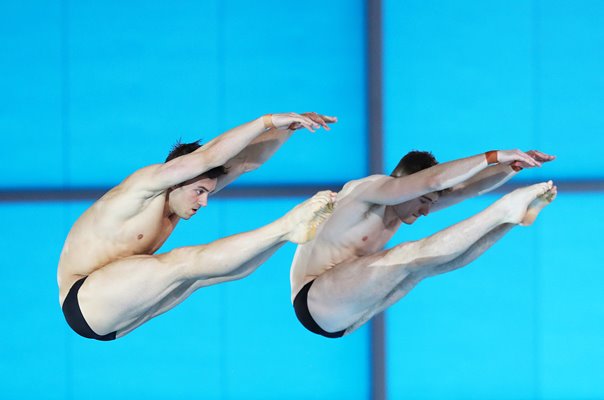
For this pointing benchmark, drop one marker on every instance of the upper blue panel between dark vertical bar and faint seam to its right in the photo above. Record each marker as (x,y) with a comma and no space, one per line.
(458,77)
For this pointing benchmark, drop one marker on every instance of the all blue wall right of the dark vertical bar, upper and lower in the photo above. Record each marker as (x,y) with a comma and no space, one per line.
(462,77)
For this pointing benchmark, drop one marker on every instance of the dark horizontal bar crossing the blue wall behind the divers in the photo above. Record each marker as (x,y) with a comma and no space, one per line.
(302,190)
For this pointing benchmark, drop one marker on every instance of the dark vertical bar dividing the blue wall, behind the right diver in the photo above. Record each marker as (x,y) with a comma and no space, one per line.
(375,166)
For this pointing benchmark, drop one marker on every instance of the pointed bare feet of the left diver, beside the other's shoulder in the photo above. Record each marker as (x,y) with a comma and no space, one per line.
(305,218)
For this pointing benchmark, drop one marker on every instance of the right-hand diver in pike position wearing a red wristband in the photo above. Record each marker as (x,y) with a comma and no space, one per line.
(343,277)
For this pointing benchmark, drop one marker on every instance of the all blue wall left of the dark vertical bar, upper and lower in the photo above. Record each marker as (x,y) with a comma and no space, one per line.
(97,90)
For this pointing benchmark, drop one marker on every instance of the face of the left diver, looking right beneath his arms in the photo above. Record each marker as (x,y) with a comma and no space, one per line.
(189,197)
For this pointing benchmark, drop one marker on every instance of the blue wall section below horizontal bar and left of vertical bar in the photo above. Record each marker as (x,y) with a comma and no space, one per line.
(230,341)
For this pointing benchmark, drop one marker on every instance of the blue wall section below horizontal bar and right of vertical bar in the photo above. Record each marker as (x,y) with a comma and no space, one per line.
(522,321)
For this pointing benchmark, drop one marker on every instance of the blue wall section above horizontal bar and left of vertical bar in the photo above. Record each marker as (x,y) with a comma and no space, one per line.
(113,86)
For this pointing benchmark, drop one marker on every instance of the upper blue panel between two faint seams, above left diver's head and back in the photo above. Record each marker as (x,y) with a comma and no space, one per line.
(142,74)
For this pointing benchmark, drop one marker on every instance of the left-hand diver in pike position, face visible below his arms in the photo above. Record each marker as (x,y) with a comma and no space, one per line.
(110,279)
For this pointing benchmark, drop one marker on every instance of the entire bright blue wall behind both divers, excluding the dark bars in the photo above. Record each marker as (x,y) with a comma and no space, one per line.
(93,90)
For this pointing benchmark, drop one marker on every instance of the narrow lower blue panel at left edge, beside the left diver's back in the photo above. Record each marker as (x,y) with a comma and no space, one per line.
(33,362)
